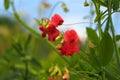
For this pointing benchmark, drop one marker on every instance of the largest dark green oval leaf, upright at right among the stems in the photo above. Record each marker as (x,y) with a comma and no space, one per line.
(106,49)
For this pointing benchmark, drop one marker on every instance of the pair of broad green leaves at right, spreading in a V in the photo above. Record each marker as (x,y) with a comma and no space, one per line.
(104,47)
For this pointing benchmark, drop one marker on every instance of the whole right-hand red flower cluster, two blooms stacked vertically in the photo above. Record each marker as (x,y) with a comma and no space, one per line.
(70,45)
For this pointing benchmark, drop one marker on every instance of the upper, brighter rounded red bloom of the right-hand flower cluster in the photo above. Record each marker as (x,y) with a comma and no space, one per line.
(71,36)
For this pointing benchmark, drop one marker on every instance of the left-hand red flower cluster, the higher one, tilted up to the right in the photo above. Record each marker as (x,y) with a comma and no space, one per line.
(51,28)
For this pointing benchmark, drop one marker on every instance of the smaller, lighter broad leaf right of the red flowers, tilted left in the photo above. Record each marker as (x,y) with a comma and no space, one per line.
(92,35)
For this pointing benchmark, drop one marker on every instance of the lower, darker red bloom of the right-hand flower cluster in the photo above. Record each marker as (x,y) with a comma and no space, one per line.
(68,49)
